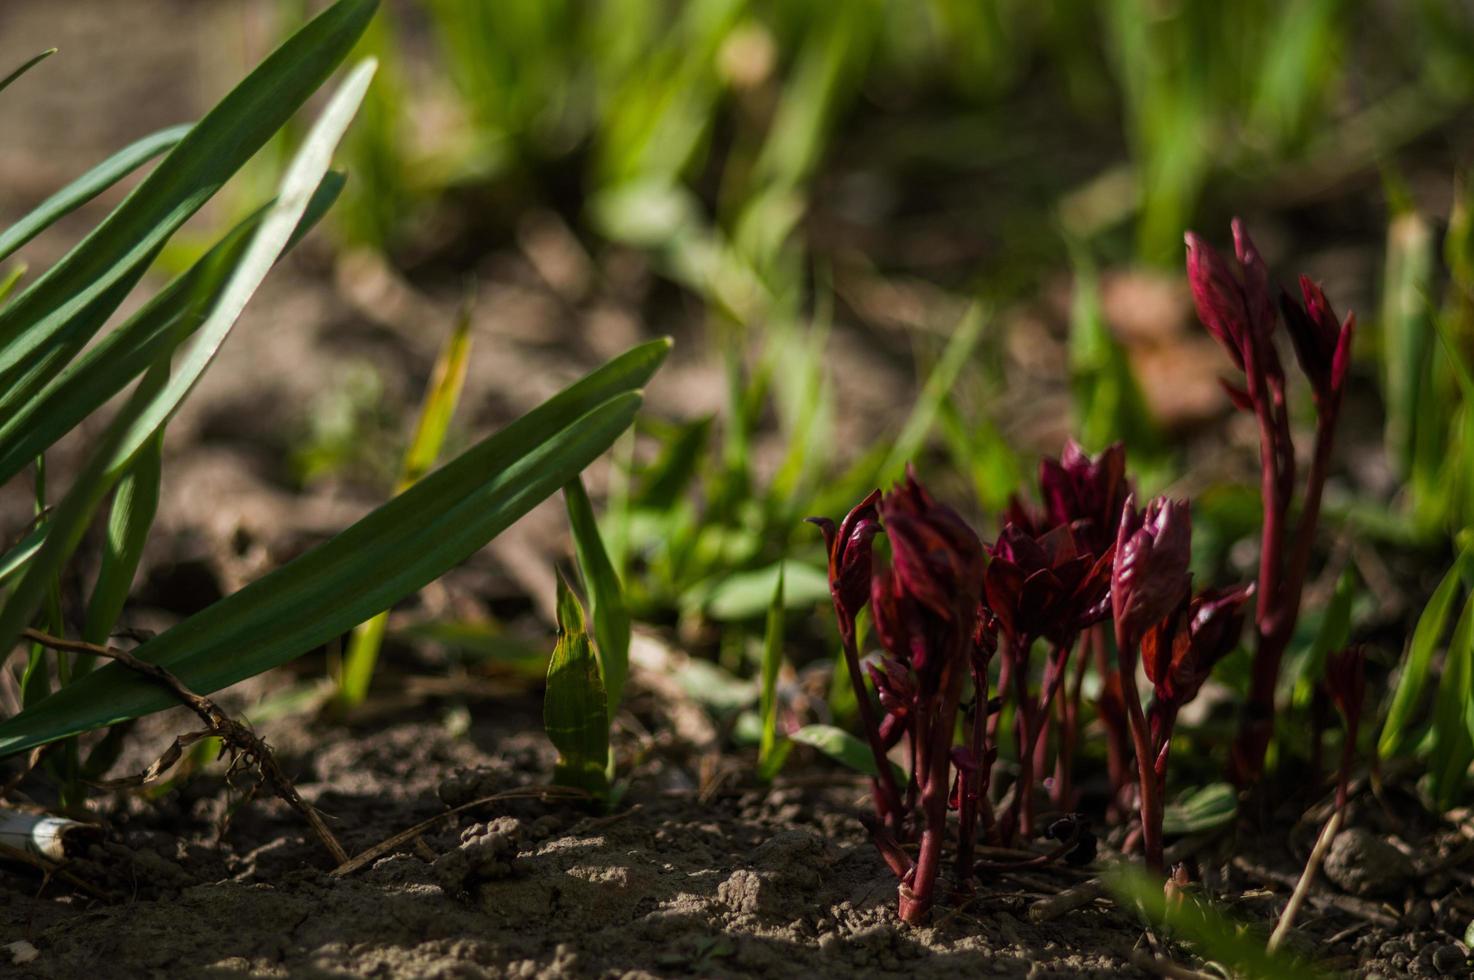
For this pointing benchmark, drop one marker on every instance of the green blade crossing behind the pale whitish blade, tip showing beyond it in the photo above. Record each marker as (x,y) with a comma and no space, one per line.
(170,318)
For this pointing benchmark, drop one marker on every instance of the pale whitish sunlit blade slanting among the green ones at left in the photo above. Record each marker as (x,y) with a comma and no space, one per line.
(153,406)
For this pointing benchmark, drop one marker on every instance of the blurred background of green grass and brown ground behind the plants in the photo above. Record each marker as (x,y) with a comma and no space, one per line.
(879,231)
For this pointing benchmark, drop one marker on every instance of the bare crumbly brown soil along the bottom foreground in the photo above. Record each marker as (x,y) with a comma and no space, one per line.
(695,873)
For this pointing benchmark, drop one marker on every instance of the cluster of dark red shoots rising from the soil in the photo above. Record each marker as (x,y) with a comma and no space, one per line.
(1091,578)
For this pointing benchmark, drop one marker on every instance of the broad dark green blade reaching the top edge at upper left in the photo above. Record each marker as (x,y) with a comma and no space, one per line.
(179,186)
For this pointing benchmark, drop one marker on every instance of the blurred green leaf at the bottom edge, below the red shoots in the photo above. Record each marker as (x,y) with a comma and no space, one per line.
(1199,923)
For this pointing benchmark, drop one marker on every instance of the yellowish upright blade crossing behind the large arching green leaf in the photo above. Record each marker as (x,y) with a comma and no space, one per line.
(425,447)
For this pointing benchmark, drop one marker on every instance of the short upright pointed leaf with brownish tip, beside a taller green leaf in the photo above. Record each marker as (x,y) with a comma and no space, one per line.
(576,713)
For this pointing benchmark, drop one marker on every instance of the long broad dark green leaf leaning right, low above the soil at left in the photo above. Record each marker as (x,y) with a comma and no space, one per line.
(388,555)
